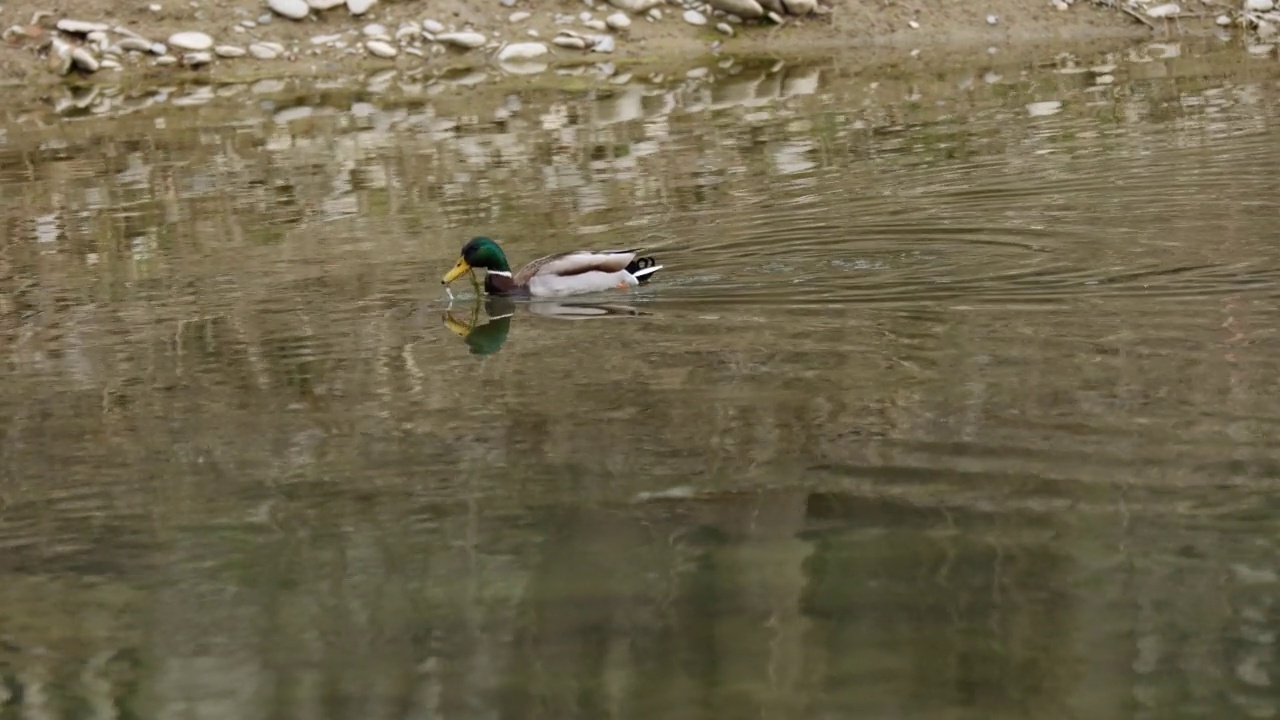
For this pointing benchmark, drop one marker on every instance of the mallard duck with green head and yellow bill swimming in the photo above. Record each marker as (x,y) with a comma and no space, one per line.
(555,276)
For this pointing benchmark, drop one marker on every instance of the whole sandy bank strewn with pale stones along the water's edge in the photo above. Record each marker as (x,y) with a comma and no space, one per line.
(93,39)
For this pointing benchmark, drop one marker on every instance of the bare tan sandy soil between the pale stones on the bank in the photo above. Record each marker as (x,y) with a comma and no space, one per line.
(852,25)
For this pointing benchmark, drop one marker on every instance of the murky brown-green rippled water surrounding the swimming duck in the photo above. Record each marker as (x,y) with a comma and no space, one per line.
(950,403)
